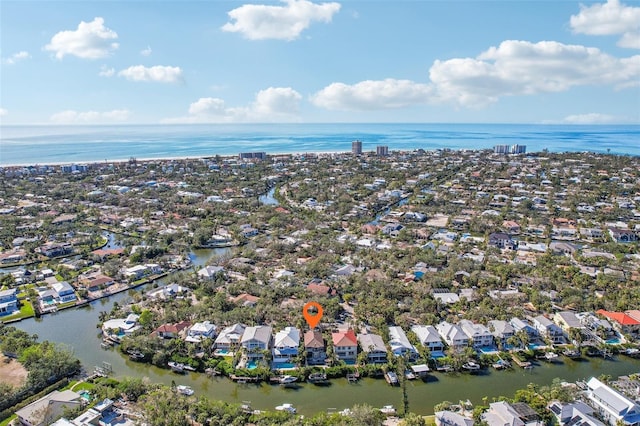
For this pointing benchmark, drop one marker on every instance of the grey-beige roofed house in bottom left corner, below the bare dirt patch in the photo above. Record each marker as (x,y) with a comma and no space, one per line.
(49,408)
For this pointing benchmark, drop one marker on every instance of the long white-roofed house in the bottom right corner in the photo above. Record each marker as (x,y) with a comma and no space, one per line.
(613,407)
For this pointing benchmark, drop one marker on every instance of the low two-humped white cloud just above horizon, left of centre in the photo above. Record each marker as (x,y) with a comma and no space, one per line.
(275,104)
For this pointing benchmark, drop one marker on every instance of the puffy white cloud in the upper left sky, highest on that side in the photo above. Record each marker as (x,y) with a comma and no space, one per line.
(92,40)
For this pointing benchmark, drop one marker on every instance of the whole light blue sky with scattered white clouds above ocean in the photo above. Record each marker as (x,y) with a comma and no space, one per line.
(511,61)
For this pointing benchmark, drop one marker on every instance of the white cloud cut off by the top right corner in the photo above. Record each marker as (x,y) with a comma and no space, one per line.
(610,18)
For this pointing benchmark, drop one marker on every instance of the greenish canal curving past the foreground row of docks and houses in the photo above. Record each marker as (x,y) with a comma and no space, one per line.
(77,328)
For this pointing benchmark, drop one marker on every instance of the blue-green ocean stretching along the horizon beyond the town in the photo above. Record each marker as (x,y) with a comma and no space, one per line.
(30,145)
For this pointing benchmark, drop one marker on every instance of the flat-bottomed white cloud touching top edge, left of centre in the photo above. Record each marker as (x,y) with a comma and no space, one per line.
(260,22)
